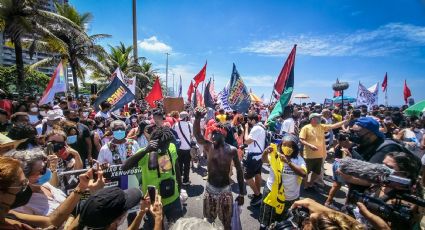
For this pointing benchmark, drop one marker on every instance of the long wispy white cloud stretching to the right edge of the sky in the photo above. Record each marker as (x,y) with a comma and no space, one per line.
(388,39)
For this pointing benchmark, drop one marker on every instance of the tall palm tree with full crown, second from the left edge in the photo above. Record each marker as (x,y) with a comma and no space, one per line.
(77,48)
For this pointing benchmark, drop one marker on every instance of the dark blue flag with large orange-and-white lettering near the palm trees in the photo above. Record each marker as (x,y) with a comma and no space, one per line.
(116,93)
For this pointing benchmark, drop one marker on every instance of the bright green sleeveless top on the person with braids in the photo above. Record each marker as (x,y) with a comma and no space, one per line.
(150,177)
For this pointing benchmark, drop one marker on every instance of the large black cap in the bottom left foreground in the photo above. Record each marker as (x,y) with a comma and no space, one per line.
(106,205)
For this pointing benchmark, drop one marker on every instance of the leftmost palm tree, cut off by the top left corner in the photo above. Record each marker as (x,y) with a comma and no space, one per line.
(21,19)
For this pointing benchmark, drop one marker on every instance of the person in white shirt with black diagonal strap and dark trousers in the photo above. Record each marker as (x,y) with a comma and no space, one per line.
(184,130)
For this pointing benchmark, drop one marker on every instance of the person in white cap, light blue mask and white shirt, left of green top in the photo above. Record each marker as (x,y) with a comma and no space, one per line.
(119,148)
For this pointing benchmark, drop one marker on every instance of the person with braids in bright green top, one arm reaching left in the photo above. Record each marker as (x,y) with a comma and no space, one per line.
(158,162)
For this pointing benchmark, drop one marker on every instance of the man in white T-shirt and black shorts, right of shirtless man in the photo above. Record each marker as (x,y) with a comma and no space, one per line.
(255,139)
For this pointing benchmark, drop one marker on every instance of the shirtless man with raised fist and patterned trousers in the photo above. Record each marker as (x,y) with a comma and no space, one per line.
(218,199)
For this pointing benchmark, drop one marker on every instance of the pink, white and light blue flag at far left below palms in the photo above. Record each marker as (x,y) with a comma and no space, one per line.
(56,84)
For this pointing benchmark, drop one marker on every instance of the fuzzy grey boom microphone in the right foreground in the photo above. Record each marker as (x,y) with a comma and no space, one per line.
(375,173)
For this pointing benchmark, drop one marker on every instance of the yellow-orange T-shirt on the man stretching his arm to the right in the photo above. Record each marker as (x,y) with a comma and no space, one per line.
(315,136)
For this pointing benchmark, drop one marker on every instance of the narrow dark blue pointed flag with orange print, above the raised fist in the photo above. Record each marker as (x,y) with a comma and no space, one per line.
(238,96)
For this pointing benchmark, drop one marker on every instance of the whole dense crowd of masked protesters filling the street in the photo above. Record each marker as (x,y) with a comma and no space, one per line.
(296,150)
